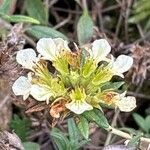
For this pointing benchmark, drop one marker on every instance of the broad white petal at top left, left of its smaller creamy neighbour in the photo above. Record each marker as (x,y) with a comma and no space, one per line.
(47,48)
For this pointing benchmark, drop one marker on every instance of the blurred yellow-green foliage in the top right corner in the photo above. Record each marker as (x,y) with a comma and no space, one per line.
(141,12)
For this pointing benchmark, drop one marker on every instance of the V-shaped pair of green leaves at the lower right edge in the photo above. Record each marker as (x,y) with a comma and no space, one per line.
(143,123)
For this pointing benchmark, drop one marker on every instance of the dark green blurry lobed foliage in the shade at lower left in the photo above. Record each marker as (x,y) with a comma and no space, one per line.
(20,126)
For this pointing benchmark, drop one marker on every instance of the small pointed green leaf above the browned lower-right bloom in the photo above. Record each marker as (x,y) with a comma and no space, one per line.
(113,86)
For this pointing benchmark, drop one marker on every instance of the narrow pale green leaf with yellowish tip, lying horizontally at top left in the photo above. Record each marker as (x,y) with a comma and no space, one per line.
(19,18)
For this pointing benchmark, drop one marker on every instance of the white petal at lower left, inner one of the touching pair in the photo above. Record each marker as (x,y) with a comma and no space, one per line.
(40,93)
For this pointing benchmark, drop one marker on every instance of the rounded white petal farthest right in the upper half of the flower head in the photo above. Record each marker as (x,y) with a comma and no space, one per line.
(123,63)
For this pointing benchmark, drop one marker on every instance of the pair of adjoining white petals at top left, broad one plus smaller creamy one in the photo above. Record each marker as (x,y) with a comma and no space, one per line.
(50,48)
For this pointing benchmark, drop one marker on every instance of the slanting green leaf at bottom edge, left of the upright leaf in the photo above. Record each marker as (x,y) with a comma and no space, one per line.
(59,138)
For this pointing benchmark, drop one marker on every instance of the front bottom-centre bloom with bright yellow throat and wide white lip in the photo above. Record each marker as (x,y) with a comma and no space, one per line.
(78,104)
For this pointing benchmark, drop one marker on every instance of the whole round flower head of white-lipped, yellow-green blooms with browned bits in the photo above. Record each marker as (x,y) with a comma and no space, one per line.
(82,79)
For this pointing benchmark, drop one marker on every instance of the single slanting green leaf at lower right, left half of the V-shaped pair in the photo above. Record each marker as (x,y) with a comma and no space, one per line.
(140,121)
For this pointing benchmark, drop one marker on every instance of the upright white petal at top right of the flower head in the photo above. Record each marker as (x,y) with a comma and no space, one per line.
(100,49)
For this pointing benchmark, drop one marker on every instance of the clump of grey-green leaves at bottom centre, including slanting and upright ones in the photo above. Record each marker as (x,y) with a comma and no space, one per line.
(73,141)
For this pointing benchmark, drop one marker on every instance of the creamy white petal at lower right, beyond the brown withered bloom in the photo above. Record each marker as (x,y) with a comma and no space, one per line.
(127,104)
